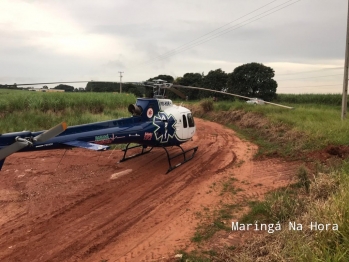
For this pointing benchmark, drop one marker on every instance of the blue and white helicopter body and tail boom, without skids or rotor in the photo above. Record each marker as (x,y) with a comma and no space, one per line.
(158,123)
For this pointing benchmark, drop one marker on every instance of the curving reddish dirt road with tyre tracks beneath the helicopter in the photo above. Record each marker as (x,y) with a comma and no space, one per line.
(80,205)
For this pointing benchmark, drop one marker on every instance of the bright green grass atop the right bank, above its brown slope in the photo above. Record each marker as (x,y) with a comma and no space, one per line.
(322,124)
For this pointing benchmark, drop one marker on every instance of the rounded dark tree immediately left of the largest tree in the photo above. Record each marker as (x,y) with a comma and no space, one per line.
(215,80)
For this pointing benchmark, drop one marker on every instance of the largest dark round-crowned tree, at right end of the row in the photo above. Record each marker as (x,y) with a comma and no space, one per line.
(253,80)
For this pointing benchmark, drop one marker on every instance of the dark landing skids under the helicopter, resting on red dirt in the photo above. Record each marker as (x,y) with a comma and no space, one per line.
(169,158)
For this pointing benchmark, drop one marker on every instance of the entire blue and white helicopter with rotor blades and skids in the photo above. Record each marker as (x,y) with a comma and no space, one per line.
(155,122)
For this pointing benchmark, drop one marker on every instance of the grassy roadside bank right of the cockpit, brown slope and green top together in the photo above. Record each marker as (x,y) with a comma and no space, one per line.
(280,131)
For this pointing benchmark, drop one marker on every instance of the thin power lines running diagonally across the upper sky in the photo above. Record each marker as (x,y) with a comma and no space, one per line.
(228,30)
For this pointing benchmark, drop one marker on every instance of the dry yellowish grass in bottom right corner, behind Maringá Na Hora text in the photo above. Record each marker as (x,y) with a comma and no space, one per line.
(314,222)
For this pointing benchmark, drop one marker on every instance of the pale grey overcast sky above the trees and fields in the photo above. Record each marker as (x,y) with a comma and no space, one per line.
(70,40)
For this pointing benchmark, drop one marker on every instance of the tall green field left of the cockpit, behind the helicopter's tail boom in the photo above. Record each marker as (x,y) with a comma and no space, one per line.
(25,110)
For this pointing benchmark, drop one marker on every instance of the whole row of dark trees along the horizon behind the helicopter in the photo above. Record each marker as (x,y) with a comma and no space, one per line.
(251,80)
